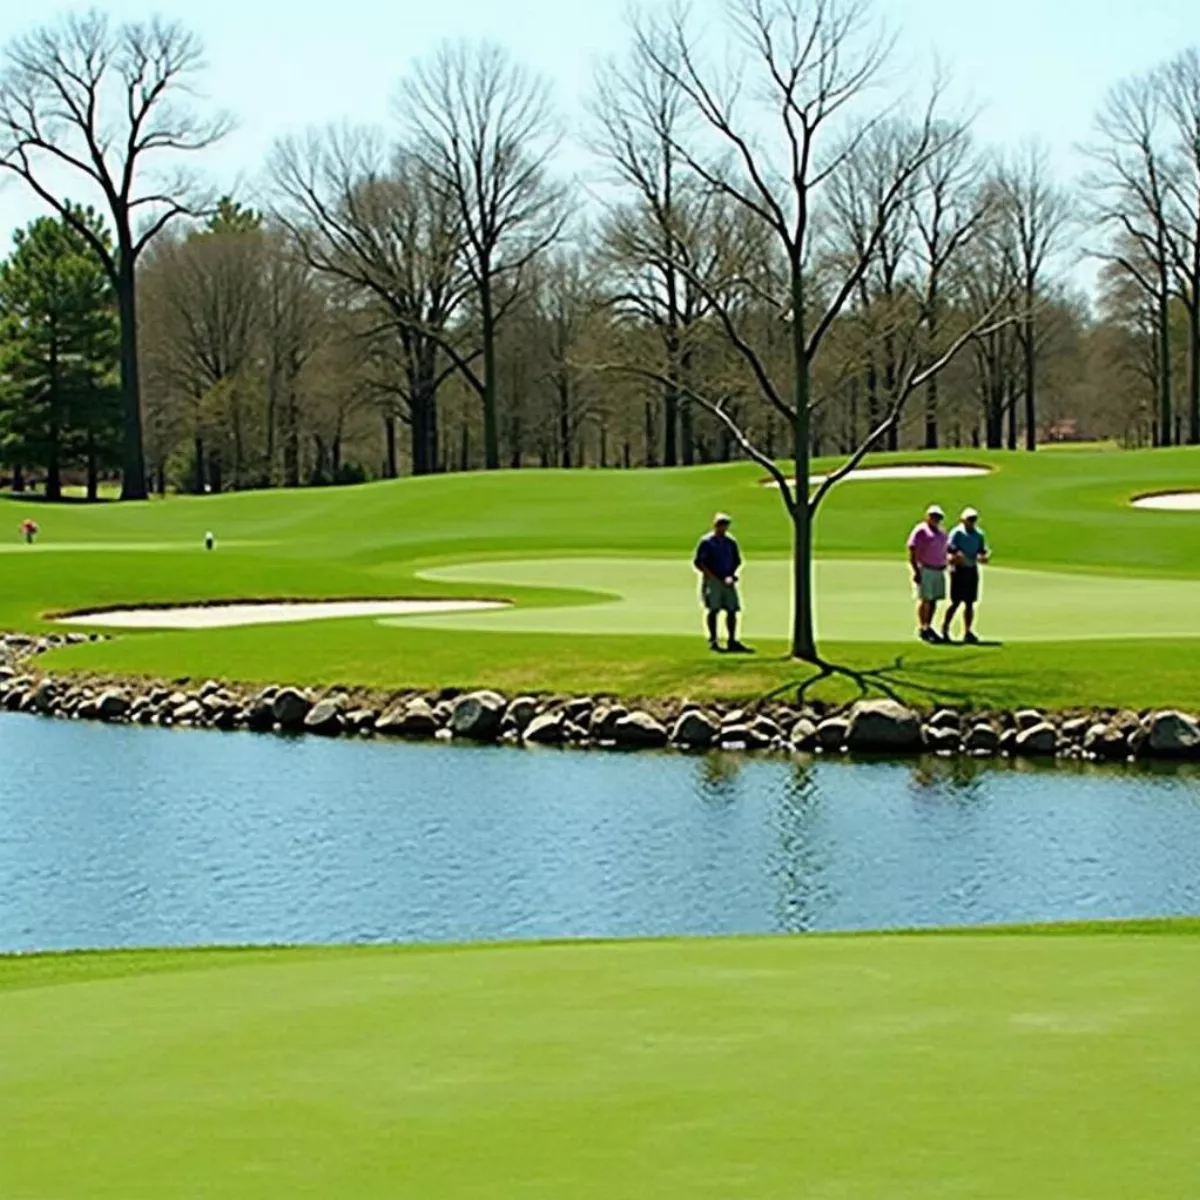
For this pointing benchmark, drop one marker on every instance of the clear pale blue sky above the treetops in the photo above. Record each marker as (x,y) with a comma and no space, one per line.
(1035,67)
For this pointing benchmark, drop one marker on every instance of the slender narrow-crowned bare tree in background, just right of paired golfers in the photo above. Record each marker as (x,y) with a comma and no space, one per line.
(1037,214)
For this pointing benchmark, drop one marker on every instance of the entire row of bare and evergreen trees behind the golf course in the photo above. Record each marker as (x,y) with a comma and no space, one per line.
(764,261)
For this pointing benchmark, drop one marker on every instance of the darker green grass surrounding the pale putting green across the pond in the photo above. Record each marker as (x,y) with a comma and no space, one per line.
(1055,512)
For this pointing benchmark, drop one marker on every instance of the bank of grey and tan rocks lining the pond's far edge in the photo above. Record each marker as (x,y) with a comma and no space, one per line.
(871,727)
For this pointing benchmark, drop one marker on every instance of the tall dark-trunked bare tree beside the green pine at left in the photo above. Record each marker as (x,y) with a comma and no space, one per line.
(105,105)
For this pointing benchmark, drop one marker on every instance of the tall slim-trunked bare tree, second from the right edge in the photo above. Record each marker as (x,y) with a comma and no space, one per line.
(1131,188)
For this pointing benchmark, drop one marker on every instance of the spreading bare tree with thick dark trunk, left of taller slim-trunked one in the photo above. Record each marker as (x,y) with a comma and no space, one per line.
(381,224)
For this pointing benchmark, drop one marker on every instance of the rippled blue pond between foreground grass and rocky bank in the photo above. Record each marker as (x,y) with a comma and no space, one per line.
(118,837)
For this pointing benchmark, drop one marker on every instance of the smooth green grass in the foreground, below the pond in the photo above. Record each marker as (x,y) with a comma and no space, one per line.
(980,1067)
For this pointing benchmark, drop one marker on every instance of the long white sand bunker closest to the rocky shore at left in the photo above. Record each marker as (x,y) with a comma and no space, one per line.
(229,616)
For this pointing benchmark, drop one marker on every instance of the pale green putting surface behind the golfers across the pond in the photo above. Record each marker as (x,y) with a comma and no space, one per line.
(859,601)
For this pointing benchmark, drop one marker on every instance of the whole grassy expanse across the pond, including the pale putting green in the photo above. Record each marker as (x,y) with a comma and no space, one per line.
(1096,603)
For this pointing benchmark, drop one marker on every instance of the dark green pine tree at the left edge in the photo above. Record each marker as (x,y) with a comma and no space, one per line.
(59,355)
